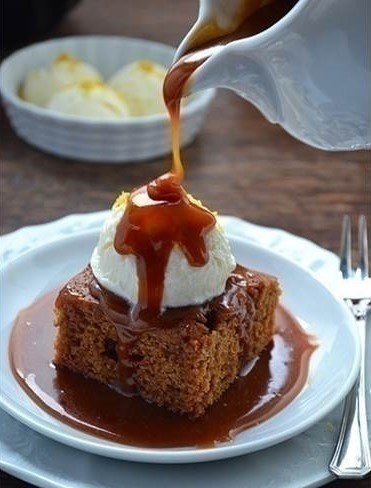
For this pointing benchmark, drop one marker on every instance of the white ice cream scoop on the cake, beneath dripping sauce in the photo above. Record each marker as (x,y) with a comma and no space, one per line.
(184,284)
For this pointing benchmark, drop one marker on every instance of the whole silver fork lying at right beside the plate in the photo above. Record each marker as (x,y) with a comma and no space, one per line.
(352,458)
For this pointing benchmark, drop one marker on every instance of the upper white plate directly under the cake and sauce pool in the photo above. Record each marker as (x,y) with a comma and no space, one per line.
(333,368)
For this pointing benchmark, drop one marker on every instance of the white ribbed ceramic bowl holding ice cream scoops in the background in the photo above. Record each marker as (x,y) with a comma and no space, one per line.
(83,138)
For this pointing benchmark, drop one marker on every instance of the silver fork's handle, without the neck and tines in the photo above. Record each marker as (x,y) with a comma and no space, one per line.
(352,458)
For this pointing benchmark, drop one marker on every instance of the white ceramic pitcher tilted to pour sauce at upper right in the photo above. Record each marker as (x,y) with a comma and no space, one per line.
(309,72)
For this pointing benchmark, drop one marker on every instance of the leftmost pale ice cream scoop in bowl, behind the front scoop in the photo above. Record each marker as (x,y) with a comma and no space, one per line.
(41,84)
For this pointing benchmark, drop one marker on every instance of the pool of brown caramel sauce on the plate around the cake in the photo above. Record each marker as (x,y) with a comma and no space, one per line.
(276,377)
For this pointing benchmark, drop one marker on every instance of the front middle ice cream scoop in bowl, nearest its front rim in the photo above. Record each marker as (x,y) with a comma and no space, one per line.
(89,99)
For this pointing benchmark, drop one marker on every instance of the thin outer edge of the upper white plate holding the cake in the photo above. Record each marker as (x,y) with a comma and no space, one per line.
(114,450)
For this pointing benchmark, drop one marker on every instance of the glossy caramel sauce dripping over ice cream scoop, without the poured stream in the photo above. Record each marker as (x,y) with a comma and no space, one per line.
(157,217)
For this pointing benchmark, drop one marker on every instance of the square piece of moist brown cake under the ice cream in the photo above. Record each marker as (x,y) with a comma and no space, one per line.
(188,360)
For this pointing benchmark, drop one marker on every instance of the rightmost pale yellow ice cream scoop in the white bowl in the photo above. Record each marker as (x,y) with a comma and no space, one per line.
(140,83)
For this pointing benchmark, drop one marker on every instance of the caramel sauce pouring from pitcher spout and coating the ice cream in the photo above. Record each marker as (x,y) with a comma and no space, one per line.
(159,216)
